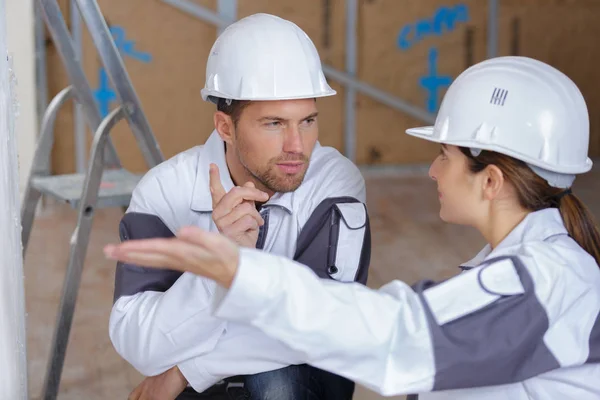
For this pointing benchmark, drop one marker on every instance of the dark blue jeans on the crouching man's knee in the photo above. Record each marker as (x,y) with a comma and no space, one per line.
(299,382)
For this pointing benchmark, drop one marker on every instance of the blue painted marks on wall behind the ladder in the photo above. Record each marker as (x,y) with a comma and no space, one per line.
(104,94)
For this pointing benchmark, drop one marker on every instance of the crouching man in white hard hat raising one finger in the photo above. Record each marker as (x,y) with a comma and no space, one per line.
(263,180)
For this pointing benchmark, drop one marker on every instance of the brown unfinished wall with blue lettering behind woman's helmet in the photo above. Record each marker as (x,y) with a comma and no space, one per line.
(403,44)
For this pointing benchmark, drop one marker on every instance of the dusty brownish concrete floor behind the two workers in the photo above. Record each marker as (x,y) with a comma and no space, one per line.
(409,243)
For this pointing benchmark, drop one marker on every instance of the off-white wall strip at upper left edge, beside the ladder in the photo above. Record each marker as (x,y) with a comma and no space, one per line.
(21,46)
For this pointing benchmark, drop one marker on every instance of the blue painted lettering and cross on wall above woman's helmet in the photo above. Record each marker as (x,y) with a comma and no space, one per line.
(443,21)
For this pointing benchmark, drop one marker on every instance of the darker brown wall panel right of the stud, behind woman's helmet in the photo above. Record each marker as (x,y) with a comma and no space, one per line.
(563,33)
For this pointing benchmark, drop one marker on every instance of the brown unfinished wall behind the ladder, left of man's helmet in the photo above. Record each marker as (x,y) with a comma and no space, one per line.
(164,51)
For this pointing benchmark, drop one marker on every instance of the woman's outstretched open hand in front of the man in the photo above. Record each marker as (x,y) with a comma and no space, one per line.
(193,250)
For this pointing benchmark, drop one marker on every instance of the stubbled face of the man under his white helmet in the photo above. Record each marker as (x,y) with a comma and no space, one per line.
(273,141)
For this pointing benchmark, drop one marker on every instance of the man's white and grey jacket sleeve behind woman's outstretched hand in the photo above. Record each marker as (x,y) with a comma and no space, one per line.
(159,317)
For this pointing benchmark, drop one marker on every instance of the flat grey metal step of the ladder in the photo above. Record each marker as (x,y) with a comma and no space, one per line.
(115,189)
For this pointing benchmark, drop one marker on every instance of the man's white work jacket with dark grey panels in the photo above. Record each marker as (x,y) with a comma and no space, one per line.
(162,318)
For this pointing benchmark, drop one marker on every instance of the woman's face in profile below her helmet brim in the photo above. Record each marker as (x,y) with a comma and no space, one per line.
(459,189)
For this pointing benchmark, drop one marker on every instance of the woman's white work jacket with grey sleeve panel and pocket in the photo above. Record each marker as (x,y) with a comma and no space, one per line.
(522,322)
